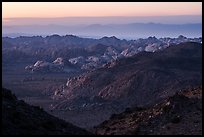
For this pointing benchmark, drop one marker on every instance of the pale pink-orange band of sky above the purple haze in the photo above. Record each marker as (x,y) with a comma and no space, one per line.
(75,9)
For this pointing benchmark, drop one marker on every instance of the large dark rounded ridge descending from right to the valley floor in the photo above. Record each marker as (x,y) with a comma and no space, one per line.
(142,79)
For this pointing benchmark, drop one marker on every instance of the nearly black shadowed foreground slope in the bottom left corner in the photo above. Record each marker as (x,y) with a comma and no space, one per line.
(19,118)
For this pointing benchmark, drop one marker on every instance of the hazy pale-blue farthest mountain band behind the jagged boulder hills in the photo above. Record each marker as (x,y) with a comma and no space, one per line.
(123,31)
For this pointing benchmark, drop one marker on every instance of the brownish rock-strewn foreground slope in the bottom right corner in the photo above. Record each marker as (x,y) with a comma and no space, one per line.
(180,114)
